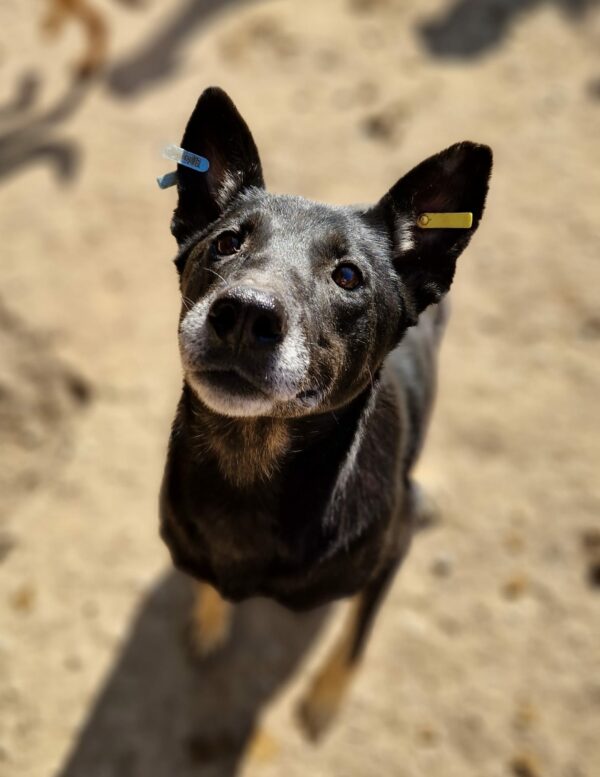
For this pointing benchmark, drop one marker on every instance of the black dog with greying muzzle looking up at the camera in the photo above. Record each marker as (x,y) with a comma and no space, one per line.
(308,337)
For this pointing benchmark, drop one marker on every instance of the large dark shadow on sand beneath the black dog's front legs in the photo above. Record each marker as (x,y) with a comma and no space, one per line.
(164,712)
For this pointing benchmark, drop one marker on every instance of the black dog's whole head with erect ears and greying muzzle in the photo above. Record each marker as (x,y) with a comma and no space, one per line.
(290,306)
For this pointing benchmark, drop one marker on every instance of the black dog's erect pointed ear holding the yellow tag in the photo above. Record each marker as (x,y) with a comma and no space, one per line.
(455,180)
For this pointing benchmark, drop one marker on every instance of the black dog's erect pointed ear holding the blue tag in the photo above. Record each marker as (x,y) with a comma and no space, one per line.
(217,132)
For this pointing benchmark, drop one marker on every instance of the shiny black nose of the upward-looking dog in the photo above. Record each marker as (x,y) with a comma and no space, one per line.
(248,317)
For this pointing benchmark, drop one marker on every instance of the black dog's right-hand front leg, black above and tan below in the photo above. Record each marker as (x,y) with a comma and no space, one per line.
(320,705)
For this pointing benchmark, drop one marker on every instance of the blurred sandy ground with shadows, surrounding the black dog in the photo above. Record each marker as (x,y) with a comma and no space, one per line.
(485,661)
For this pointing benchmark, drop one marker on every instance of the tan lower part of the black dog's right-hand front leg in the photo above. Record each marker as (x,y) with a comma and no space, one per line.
(321,704)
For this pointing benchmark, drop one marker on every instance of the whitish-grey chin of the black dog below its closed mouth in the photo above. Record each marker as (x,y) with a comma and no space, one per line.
(227,393)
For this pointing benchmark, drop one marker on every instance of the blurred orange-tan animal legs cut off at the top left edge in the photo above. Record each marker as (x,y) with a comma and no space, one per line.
(95,28)
